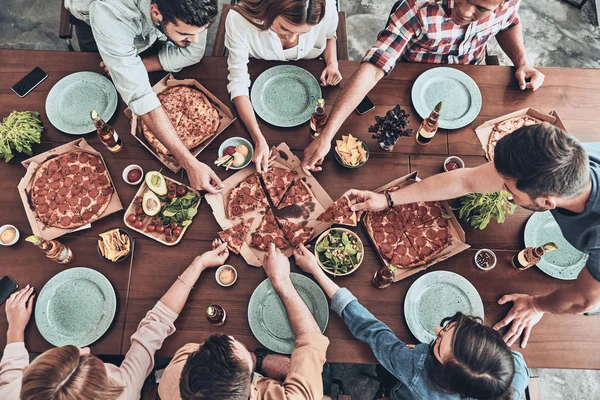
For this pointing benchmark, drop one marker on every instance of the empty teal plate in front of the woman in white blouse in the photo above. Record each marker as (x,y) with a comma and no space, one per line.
(285,95)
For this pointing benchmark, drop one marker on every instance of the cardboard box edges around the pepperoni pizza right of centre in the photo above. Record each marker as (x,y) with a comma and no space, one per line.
(458,234)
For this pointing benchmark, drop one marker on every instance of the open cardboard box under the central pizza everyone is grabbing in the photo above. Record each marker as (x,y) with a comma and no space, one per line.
(284,159)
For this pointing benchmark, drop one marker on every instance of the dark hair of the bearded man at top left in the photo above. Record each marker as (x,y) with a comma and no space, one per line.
(192,12)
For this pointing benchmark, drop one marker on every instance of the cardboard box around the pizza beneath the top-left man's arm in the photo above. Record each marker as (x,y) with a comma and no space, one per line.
(168,81)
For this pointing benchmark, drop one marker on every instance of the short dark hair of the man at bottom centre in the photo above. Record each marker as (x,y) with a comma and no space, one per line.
(214,372)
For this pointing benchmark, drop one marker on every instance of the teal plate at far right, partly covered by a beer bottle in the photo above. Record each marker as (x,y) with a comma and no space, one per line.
(565,263)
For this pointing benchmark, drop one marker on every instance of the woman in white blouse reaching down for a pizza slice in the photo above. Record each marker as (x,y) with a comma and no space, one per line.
(277,30)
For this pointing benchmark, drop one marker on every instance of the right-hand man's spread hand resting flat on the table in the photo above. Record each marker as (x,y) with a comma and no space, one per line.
(523,315)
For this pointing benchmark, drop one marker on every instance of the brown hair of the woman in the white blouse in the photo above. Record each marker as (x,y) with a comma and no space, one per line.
(262,13)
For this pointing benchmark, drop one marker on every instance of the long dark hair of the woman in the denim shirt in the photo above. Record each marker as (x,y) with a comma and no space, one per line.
(482,365)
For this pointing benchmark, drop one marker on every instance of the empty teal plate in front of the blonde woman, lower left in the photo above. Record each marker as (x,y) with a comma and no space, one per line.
(76,307)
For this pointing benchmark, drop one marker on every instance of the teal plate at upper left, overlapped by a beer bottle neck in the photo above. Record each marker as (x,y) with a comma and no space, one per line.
(70,101)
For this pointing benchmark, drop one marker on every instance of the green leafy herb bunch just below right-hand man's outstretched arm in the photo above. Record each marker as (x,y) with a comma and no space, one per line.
(478,209)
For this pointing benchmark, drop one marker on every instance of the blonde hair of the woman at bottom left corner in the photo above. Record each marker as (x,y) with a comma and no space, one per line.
(63,374)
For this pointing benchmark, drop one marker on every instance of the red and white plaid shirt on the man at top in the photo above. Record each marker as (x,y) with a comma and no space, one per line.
(423,31)
